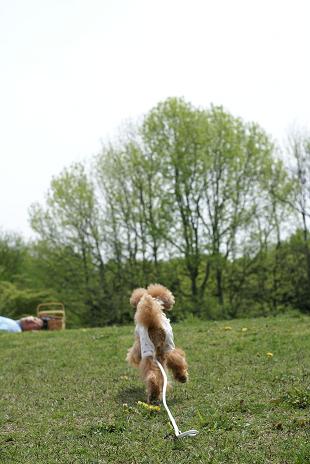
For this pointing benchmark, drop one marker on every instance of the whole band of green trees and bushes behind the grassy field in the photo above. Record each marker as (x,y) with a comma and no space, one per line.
(194,198)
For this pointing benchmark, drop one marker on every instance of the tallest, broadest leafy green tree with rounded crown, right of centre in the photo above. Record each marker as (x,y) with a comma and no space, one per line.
(214,169)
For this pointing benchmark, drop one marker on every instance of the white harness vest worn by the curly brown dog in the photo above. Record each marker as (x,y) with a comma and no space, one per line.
(147,346)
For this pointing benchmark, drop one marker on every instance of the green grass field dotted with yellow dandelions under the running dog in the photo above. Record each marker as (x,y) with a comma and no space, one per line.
(69,397)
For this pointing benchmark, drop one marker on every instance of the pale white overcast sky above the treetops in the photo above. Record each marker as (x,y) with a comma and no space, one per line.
(72,72)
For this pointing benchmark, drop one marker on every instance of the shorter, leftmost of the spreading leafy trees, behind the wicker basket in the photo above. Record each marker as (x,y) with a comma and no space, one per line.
(71,244)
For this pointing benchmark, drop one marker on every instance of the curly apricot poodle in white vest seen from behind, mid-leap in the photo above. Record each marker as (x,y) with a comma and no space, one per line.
(154,339)
